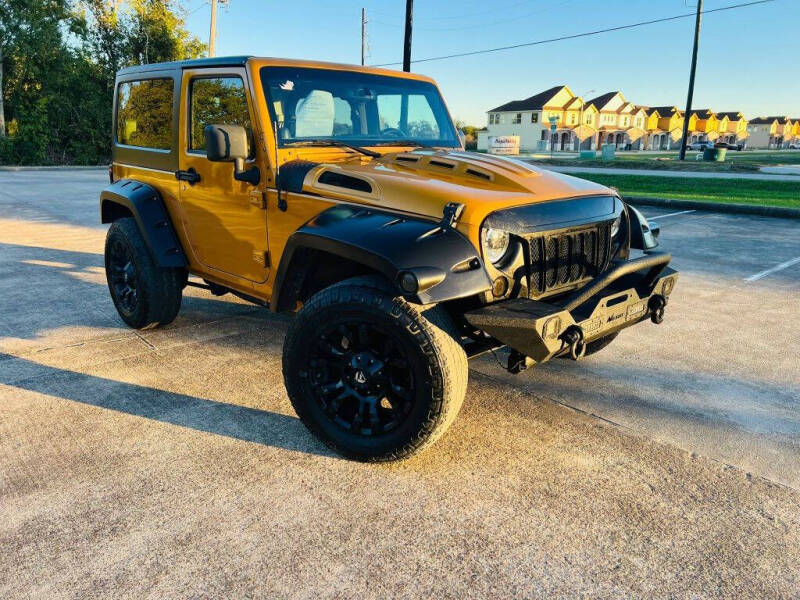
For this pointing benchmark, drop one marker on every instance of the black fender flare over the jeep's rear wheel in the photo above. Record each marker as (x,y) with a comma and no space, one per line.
(147,207)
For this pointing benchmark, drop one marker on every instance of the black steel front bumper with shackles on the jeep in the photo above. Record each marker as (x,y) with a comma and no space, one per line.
(628,293)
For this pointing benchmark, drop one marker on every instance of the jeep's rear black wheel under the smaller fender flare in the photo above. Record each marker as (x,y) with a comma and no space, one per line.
(145,295)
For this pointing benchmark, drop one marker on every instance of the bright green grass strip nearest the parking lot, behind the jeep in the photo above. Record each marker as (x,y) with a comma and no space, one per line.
(744,191)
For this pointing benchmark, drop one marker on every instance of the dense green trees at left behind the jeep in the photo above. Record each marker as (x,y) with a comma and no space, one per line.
(58,60)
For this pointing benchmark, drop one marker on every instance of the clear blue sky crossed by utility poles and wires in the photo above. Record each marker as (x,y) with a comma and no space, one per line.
(748,57)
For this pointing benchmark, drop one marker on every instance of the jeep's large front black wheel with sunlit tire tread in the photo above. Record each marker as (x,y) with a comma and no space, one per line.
(370,375)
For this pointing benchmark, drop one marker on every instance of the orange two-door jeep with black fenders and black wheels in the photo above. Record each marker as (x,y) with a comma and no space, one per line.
(343,194)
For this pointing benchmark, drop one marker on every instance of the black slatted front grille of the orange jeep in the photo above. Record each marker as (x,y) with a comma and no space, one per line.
(561,259)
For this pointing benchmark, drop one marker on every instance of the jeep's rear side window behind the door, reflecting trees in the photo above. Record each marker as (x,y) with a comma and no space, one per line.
(144,113)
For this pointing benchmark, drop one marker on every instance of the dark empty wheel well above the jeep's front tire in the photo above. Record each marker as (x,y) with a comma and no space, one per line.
(313,270)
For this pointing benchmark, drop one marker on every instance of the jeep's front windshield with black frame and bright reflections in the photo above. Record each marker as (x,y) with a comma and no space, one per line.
(356,108)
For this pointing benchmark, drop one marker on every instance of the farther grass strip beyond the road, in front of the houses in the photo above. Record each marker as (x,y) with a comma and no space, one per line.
(735,162)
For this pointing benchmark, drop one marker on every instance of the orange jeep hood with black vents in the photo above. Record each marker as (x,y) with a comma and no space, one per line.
(422,182)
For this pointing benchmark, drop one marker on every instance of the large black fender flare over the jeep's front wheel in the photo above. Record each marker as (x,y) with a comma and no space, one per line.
(444,262)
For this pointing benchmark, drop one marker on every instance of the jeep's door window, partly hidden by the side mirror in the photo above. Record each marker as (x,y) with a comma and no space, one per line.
(217,101)
